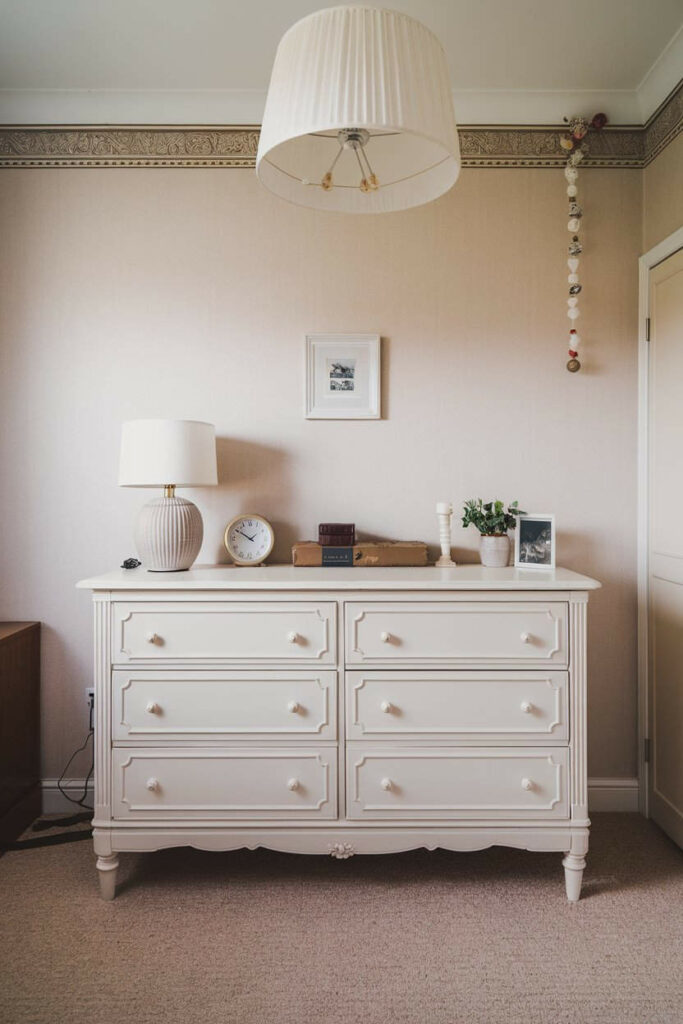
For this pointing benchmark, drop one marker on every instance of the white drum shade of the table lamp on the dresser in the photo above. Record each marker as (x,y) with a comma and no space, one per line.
(156,453)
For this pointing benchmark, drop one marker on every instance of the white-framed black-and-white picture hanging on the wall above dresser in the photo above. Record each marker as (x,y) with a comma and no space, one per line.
(344,377)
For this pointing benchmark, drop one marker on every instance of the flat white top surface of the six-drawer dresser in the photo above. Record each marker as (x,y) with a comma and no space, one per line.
(289,578)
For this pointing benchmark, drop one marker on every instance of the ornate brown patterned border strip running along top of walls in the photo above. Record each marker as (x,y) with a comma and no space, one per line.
(494,146)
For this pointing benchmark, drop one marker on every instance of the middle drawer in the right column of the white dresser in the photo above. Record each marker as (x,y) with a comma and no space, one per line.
(477,706)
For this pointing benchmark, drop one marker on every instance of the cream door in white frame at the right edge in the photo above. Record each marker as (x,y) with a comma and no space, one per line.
(666,545)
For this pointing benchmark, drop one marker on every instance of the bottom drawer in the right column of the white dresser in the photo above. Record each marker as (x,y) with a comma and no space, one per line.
(450,784)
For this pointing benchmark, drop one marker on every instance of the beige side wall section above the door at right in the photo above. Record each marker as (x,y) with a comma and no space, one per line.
(663,195)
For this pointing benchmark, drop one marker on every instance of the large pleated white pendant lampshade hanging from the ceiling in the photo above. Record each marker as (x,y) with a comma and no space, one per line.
(347,68)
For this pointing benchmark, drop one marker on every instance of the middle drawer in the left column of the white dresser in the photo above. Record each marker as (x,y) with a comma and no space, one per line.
(168,704)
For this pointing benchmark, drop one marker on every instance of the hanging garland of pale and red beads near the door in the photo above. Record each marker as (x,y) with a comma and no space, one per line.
(575,143)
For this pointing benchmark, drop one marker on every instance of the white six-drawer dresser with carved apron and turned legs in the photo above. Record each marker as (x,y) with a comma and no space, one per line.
(340,711)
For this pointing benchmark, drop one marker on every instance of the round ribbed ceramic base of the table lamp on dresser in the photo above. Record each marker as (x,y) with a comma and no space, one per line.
(168,535)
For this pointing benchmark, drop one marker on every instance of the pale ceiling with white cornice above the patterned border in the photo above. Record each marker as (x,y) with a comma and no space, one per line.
(208,62)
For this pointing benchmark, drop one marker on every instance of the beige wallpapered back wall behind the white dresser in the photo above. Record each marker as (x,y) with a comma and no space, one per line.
(187,293)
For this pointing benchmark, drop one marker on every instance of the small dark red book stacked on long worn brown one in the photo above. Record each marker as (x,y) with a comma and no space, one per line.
(336,546)
